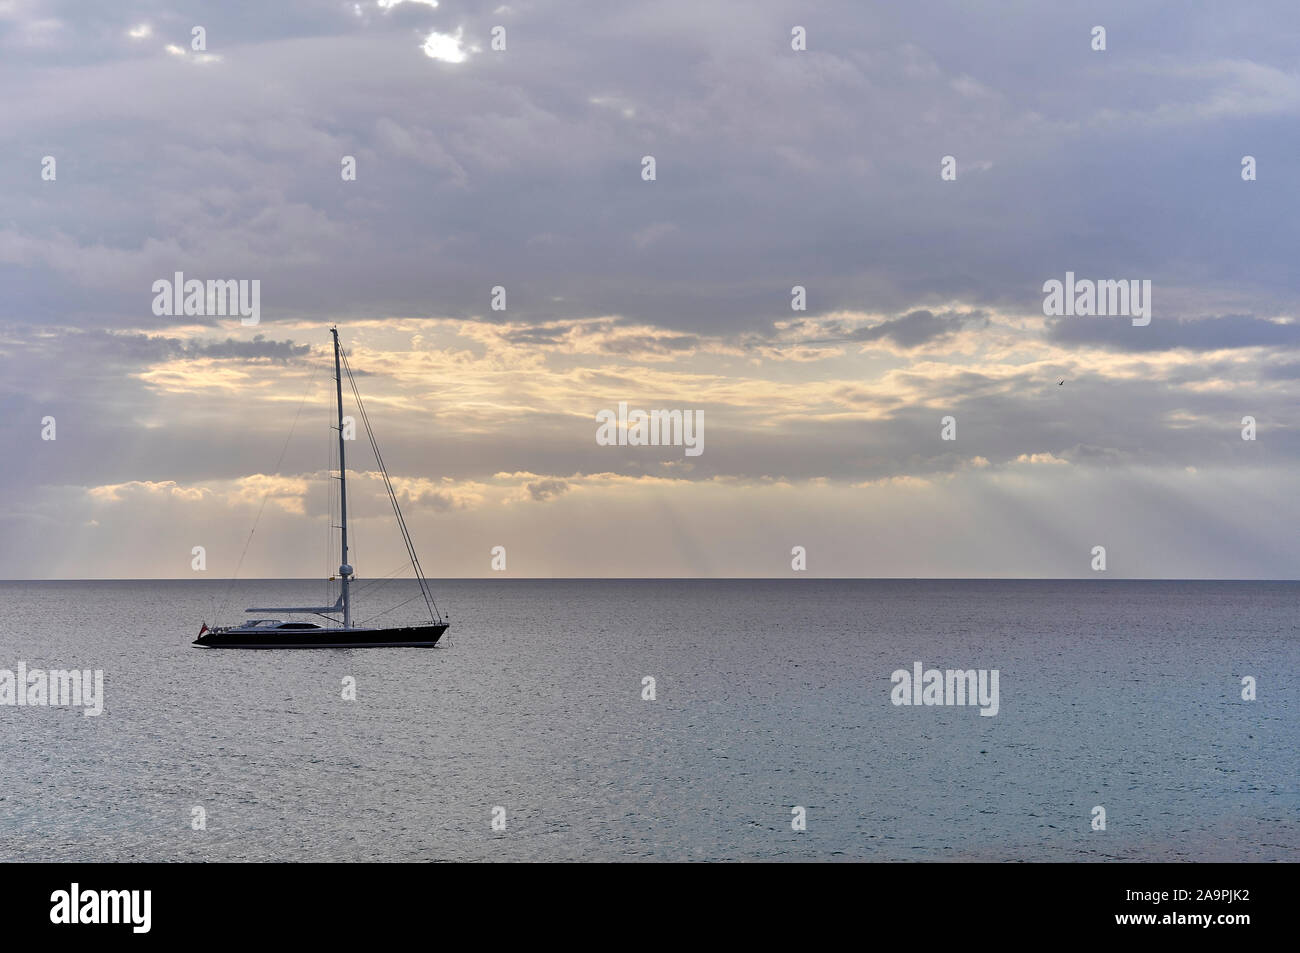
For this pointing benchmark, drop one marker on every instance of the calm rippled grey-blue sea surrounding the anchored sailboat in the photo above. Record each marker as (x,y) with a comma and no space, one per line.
(665,721)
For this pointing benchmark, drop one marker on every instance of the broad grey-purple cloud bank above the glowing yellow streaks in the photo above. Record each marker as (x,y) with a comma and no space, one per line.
(523,168)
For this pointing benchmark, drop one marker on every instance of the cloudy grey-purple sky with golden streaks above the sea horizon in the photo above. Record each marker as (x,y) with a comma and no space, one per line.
(523,168)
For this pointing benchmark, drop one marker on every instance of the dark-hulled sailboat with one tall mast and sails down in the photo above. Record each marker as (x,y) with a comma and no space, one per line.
(340,633)
